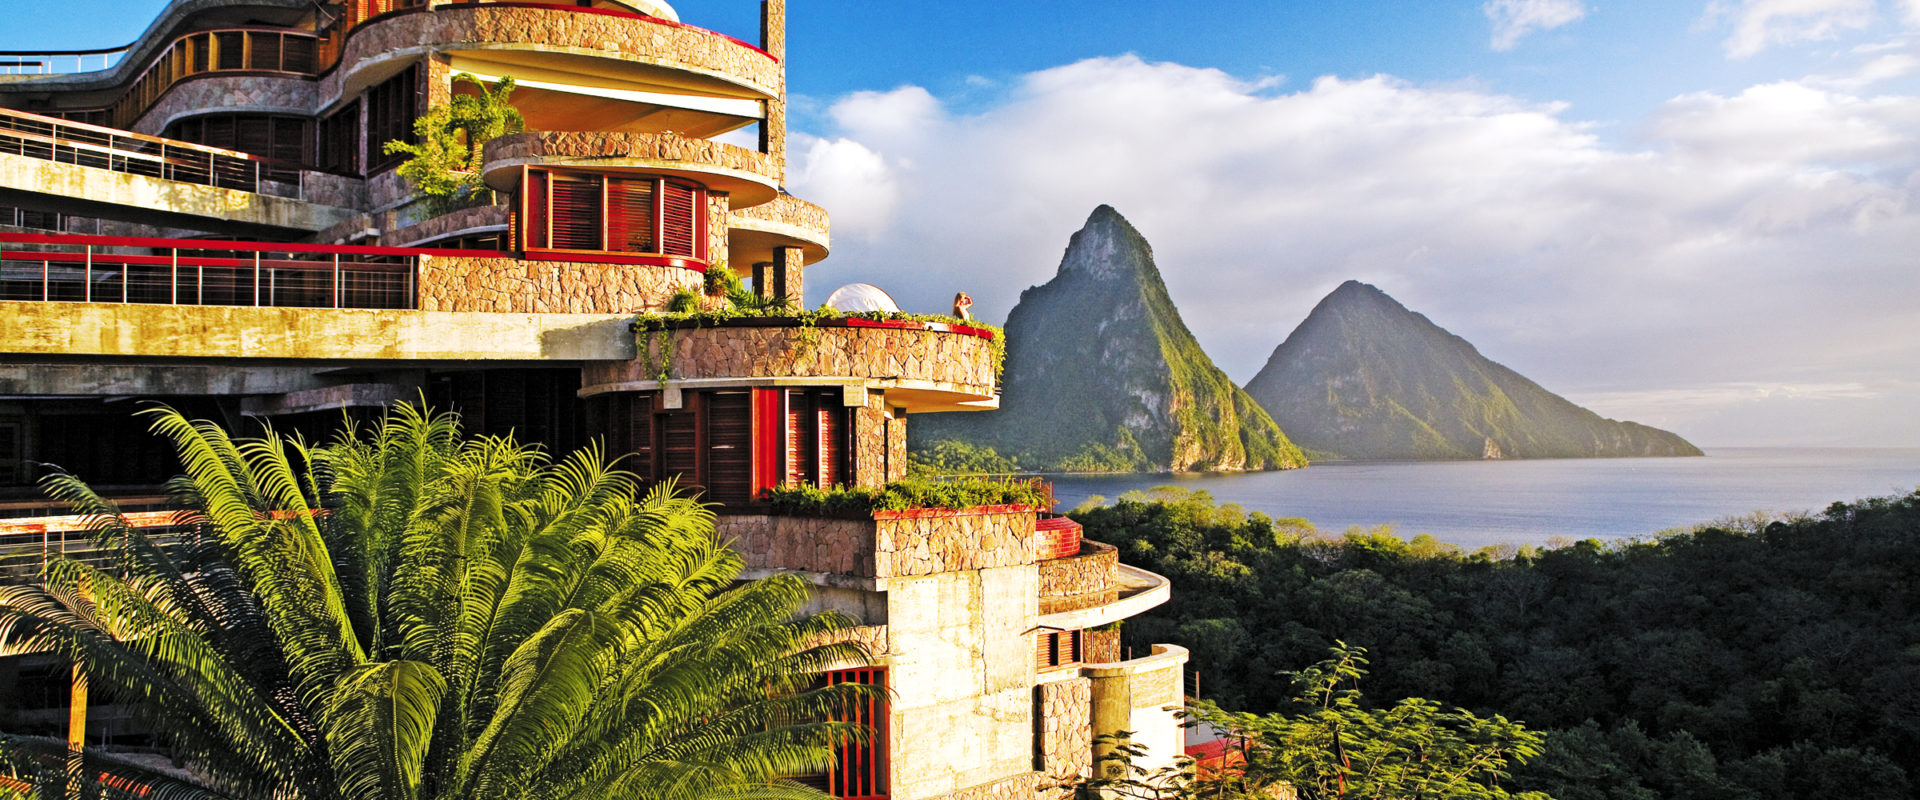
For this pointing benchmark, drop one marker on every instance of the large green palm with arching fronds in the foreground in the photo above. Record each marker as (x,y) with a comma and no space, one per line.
(410,615)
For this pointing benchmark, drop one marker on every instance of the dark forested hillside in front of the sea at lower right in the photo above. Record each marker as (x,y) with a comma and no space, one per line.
(1748,661)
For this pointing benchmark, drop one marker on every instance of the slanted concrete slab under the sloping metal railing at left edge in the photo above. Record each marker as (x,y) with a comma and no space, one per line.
(105,193)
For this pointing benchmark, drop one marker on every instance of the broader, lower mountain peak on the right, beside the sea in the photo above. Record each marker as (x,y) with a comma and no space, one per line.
(1366,379)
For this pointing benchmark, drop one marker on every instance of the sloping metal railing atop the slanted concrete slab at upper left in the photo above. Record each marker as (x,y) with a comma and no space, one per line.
(137,154)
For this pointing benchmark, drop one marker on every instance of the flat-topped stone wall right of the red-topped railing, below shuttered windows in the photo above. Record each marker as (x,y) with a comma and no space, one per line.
(456,283)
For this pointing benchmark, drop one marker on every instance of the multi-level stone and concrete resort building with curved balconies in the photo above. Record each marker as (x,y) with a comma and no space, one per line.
(210,218)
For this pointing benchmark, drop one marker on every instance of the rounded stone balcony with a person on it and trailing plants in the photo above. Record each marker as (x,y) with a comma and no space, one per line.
(919,365)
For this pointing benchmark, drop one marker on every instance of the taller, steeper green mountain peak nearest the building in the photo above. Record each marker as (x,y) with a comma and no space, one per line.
(1103,377)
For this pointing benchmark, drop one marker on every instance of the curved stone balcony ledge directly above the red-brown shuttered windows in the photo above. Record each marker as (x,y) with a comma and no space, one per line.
(750,177)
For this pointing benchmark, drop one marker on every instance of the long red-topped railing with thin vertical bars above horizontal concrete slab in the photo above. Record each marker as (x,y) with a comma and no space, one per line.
(112,270)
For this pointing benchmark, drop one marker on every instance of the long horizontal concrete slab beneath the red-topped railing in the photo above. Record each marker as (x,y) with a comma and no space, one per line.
(325,335)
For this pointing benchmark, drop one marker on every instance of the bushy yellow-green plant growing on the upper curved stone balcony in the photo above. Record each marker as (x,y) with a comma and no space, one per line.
(444,158)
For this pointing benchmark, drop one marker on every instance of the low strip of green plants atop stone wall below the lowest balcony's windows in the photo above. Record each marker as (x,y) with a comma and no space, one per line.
(909,494)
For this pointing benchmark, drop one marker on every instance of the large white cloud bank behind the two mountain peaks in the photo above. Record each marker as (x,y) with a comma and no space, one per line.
(1739,239)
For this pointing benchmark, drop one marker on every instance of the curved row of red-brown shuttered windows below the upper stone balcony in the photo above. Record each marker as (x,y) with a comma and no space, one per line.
(613,214)
